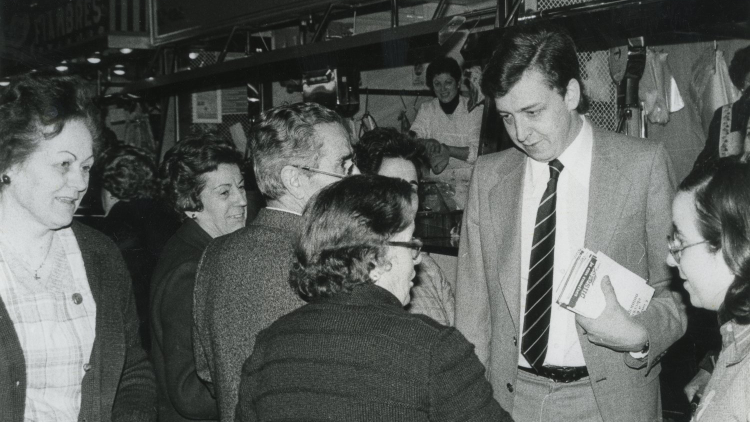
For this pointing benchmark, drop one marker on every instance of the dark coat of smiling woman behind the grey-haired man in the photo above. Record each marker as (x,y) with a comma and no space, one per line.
(182,395)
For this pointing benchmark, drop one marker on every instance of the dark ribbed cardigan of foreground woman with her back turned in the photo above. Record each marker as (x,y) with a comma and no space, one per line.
(361,357)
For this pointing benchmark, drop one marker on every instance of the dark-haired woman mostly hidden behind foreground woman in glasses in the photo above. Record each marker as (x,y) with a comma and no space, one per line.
(387,152)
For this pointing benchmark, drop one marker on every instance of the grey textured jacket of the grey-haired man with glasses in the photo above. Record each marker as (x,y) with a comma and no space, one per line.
(242,286)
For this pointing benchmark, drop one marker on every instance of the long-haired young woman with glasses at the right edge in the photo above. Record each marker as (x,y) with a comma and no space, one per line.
(711,249)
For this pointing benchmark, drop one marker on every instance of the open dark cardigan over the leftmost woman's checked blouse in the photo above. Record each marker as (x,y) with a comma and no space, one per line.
(120,384)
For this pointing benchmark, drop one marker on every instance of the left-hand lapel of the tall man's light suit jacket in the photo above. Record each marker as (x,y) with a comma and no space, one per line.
(506,207)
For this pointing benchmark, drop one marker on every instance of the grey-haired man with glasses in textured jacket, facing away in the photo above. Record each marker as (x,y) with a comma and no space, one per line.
(242,283)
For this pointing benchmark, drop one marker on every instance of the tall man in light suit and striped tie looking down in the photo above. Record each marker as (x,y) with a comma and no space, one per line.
(568,185)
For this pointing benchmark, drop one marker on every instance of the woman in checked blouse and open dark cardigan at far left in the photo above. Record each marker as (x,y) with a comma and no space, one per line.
(69,346)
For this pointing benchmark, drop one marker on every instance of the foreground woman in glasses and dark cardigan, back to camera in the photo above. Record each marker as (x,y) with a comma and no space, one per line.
(353,352)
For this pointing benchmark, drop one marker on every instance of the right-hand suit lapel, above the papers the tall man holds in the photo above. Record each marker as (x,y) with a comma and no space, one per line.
(608,192)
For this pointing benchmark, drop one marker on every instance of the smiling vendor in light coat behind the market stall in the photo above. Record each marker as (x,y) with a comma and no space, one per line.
(449,131)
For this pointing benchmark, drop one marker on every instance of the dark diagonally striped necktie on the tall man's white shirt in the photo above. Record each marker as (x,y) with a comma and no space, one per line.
(541,264)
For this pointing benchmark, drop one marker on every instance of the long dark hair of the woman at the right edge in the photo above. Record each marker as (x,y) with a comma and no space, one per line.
(722,203)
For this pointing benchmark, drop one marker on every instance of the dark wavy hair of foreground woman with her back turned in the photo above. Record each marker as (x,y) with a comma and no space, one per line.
(346,227)
